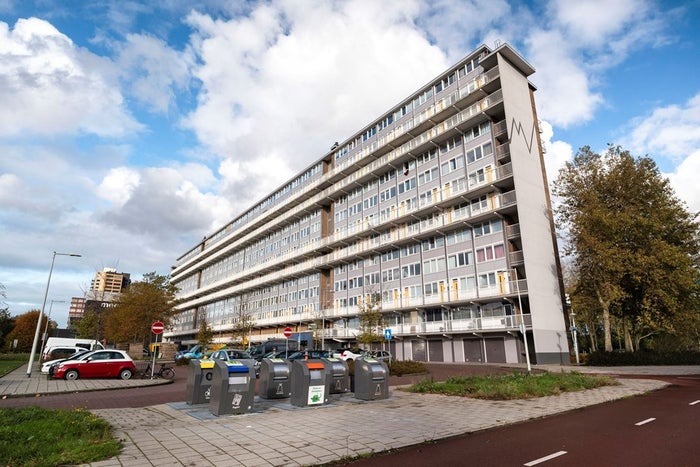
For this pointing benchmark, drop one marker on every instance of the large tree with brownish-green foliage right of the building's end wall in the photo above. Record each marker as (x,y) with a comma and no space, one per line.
(632,243)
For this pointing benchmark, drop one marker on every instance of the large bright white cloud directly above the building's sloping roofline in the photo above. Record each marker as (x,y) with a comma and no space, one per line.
(261,76)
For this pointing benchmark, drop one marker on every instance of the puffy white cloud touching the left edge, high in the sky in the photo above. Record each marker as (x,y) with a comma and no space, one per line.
(49,86)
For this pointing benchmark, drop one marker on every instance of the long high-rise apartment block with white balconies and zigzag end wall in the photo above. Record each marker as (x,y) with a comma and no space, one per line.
(439,210)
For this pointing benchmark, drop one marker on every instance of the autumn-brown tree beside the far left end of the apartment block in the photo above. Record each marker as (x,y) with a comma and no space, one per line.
(139,306)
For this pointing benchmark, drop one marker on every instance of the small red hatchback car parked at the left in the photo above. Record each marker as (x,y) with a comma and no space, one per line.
(97,364)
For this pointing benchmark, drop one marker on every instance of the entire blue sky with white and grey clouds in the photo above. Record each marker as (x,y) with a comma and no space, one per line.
(129,130)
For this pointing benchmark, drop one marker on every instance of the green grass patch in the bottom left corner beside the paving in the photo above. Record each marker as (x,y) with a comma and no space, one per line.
(37,437)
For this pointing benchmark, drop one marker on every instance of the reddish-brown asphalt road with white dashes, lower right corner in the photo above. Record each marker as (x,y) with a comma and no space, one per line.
(658,429)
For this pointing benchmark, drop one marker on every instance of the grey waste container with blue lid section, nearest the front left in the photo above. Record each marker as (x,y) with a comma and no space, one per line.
(233,387)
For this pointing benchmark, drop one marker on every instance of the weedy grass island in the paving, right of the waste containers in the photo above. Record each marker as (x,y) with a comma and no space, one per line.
(512,386)
